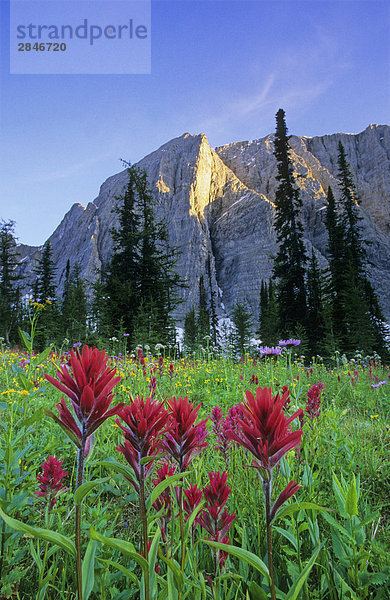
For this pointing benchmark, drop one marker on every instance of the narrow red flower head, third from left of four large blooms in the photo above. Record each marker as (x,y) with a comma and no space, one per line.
(186,438)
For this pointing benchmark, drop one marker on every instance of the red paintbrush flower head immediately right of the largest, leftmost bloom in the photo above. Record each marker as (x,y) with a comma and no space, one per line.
(145,421)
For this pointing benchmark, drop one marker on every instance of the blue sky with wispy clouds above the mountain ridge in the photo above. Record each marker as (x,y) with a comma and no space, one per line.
(221,68)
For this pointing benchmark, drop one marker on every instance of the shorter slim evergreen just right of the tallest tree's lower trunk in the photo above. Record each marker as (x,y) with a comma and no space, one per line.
(317,321)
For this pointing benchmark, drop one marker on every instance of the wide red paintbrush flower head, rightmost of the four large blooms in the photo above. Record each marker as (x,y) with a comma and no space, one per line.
(264,429)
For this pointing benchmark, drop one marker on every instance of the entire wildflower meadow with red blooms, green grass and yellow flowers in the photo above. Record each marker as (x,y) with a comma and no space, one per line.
(147,476)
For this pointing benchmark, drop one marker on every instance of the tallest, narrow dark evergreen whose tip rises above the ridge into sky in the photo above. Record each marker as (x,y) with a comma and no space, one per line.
(290,260)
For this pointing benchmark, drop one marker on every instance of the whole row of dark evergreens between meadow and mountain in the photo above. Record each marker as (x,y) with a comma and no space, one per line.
(137,290)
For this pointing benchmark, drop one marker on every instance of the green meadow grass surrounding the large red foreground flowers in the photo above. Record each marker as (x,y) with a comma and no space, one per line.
(343,455)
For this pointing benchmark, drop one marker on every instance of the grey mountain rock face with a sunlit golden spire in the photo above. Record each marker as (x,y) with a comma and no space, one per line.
(218,204)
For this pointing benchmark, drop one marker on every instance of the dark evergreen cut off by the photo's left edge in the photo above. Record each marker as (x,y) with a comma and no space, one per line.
(9,291)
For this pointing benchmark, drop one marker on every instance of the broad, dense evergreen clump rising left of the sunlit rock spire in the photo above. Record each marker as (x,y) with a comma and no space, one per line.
(136,291)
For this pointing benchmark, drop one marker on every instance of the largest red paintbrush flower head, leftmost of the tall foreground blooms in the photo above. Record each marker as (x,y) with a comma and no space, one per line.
(88,382)
